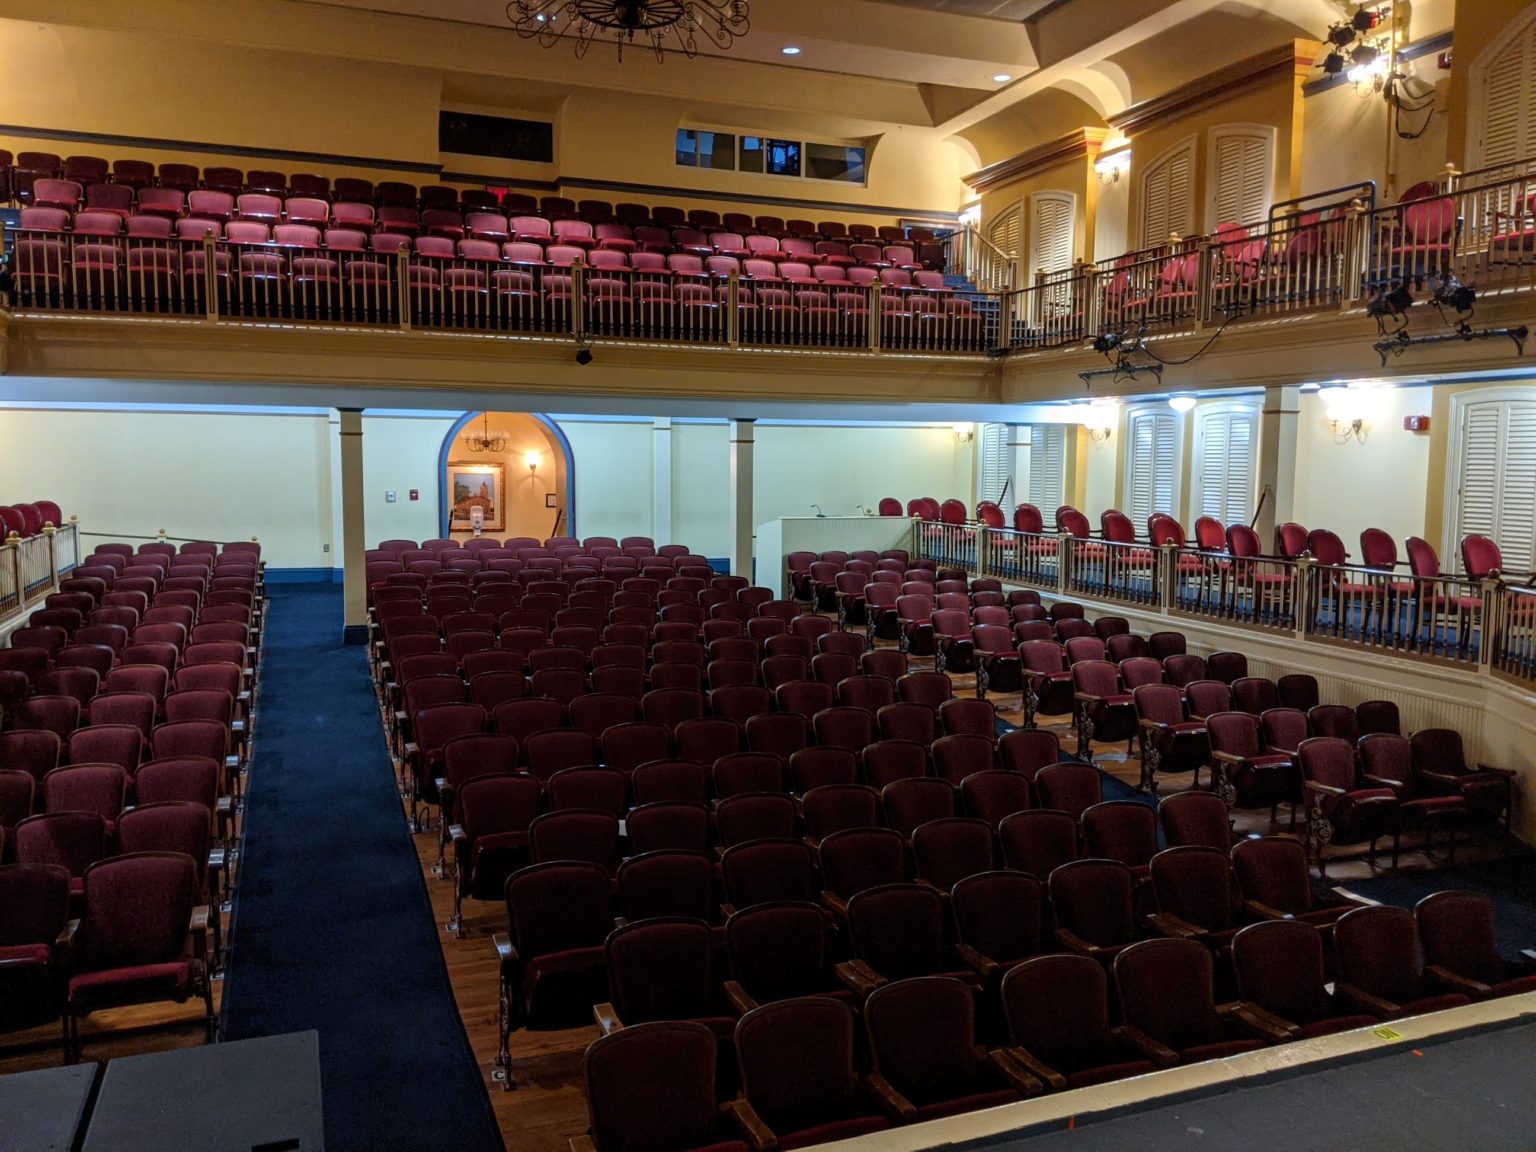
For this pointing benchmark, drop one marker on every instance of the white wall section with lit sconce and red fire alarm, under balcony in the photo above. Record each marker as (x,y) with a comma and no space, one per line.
(1379,485)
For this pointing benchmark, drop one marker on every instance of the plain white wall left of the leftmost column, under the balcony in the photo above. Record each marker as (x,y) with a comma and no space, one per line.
(196,475)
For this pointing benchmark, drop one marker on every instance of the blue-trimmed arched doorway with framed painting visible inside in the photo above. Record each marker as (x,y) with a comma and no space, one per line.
(486,462)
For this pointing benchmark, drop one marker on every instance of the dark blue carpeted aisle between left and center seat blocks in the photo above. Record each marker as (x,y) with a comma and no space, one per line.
(334,930)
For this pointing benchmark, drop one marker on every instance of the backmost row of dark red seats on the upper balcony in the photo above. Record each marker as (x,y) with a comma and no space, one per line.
(48,180)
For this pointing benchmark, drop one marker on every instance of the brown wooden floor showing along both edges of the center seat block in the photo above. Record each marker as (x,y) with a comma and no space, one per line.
(549,1105)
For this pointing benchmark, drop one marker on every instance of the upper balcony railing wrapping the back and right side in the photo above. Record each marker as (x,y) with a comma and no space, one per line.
(1308,260)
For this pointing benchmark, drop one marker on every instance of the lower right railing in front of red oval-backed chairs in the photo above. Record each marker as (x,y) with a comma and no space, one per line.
(1449,620)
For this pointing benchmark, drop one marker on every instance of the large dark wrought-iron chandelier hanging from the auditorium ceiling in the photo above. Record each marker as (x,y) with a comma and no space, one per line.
(663,24)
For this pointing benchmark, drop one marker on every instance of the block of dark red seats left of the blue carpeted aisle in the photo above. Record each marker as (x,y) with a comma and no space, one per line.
(124,729)
